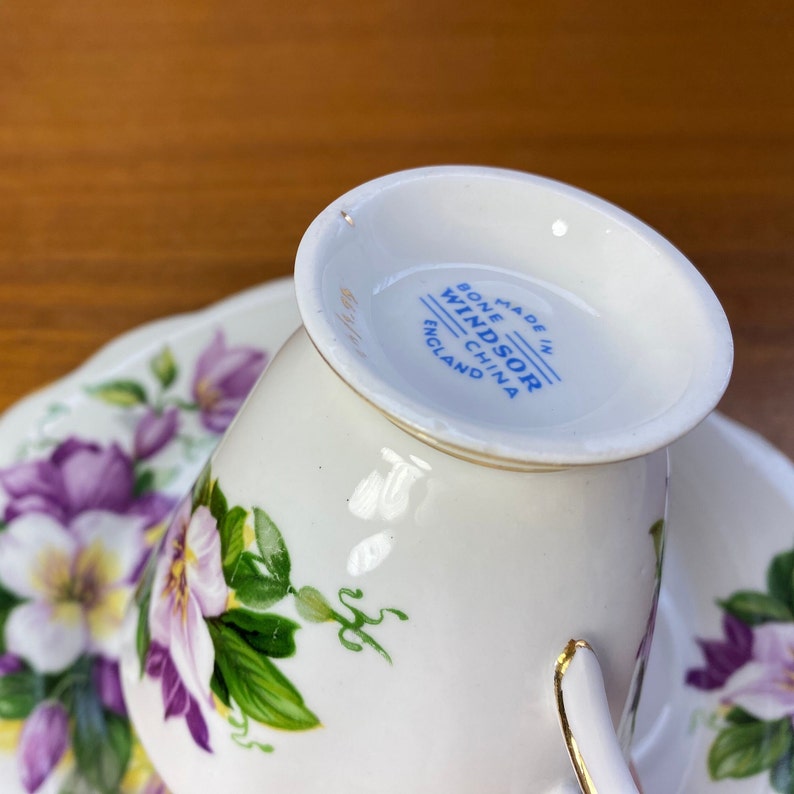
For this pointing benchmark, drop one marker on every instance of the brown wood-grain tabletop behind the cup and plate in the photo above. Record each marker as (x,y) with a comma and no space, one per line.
(160,154)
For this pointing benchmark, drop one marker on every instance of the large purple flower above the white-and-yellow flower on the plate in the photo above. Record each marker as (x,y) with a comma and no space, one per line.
(77,477)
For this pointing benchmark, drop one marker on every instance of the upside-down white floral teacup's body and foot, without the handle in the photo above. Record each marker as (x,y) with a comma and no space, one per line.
(456,467)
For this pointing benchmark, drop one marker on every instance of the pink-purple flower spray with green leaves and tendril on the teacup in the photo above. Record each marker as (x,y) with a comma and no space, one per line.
(206,629)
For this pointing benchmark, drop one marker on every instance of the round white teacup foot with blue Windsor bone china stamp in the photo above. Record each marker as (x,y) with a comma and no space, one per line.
(512,319)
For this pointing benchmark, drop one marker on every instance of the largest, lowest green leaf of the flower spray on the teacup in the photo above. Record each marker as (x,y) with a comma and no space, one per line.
(256,685)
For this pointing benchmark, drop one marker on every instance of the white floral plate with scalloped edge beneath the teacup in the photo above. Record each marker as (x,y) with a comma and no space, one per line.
(92,464)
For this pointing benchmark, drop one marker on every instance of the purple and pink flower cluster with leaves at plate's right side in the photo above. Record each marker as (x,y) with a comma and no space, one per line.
(751,671)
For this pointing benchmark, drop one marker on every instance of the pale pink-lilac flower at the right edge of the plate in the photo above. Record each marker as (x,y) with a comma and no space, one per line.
(764,686)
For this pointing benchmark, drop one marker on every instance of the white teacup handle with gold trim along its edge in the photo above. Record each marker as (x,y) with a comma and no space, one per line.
(587,724)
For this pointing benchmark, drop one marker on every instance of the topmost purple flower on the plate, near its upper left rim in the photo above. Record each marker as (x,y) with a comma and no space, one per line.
(224,376)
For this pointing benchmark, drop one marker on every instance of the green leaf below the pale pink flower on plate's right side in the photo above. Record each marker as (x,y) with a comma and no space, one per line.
(744,750)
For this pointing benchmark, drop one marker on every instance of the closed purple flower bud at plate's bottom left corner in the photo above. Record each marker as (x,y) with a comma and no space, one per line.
(42,743)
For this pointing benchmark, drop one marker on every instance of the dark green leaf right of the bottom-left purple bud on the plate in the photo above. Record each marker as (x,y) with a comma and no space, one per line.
(101,741)
